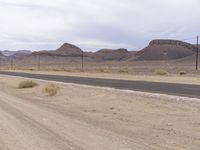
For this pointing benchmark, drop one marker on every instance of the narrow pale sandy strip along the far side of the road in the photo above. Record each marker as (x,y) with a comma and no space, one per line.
(187,79)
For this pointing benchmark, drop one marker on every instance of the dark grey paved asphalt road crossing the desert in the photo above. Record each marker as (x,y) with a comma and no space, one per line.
(155,87)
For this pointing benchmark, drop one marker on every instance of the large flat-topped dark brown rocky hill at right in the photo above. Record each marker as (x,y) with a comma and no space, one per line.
(166,50)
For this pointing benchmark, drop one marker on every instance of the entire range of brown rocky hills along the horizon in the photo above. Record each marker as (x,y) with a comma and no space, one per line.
(160,49)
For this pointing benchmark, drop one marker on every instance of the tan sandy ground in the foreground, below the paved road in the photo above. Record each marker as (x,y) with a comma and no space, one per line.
(90,118)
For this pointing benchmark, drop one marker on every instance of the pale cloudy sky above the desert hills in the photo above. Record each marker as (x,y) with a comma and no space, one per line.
(95,24)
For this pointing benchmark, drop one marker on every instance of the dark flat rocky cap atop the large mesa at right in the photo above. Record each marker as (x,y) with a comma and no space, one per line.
(171,42)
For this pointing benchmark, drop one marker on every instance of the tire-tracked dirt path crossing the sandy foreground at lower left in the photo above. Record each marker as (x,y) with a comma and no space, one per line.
(62,132)
